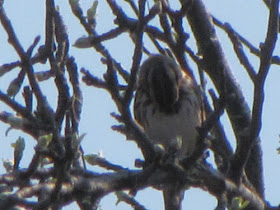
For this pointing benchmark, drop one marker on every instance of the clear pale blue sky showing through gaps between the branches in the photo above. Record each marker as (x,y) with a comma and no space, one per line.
(247,17)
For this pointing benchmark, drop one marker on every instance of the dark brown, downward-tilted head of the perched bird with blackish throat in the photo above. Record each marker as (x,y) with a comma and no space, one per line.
(159,77)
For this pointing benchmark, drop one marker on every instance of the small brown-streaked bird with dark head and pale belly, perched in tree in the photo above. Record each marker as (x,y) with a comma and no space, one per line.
(168,106)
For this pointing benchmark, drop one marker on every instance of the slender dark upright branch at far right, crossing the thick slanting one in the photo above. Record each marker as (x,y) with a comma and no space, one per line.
(244,148)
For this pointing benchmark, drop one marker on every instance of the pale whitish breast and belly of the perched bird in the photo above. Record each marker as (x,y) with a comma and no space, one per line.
(173,130)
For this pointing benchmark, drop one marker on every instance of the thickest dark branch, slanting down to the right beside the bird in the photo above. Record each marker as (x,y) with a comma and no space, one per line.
(218,69)
